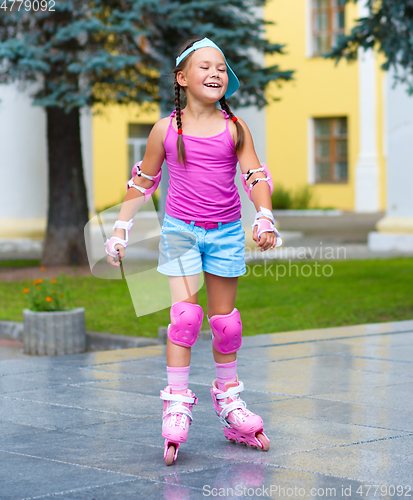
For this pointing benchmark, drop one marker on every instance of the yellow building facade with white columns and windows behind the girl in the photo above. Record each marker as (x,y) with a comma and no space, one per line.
(329,129)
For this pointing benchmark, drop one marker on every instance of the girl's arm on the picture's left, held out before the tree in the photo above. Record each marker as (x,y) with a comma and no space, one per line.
(134,199)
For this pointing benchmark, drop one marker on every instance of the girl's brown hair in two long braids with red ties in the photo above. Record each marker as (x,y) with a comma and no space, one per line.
(223,102)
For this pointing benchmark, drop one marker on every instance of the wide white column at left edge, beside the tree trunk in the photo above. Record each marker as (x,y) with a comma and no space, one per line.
(23,164)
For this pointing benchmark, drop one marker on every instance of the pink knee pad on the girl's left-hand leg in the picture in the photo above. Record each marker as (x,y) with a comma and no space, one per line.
(186,321)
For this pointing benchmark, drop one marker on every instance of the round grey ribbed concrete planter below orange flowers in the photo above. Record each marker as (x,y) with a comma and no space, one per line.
(54,333)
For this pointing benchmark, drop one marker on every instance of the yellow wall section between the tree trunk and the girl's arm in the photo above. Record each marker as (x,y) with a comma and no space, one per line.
(110,150)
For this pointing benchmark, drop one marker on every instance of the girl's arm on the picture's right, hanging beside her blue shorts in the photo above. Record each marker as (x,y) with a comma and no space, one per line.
(260,193)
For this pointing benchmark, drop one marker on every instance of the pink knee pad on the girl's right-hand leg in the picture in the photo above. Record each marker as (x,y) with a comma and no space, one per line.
(227,330)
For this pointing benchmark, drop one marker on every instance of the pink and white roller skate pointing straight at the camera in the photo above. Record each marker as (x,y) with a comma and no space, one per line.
(176,419)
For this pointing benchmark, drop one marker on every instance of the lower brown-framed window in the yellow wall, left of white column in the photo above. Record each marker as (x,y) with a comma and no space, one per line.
(330,150)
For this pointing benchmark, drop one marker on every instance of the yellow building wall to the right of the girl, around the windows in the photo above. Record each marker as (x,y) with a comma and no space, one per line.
(320,90)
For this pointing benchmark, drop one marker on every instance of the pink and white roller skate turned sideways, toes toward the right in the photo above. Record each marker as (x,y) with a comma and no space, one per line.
(240,424)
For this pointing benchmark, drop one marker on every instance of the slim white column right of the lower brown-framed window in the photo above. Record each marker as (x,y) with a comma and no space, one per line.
(367,167)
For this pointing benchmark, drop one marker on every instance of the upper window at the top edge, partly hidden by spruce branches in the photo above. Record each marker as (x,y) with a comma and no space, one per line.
(328,22)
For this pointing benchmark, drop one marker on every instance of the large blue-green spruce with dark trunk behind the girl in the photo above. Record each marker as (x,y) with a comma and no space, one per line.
(115,51)
